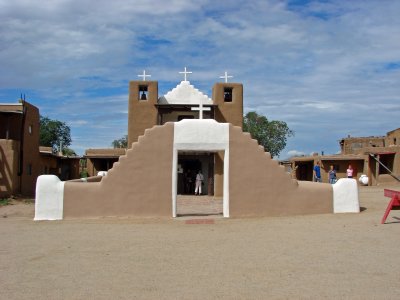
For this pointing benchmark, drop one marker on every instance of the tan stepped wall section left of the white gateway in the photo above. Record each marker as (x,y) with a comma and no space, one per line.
(138,185)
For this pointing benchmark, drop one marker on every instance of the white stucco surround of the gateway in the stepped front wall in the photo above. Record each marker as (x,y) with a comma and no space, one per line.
(201,135)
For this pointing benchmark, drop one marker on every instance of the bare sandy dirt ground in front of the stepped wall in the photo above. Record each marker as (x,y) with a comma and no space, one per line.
(345,256)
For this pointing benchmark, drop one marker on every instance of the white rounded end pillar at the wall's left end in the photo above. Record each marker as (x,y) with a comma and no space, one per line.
(49,198)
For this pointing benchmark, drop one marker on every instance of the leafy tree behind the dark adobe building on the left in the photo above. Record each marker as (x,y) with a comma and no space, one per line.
(52,132)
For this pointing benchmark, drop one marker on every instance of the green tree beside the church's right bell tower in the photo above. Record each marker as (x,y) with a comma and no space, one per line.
(272,135)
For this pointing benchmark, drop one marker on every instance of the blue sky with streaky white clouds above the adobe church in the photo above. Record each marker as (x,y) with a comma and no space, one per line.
(329,69)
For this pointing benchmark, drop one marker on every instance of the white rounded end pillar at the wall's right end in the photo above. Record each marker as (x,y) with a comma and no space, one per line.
(345,196)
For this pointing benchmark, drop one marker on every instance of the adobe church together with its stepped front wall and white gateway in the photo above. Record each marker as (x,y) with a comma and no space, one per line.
(173,136)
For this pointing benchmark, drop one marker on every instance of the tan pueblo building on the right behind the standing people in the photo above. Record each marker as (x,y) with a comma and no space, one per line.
(377,157)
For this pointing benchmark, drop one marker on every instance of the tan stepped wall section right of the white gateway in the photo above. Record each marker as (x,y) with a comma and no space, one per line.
(258,186)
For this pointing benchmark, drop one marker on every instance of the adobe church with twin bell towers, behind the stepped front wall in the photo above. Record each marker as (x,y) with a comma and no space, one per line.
(147,109)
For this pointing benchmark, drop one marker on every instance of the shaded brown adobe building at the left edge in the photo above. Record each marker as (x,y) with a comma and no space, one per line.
(21,158)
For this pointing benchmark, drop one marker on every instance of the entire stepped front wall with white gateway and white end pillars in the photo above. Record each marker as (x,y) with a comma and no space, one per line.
(143,182)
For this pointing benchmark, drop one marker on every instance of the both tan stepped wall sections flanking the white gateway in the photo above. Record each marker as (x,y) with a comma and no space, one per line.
(140,183)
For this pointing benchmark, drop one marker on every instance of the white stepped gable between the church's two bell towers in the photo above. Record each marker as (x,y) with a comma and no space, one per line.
(185,93)
